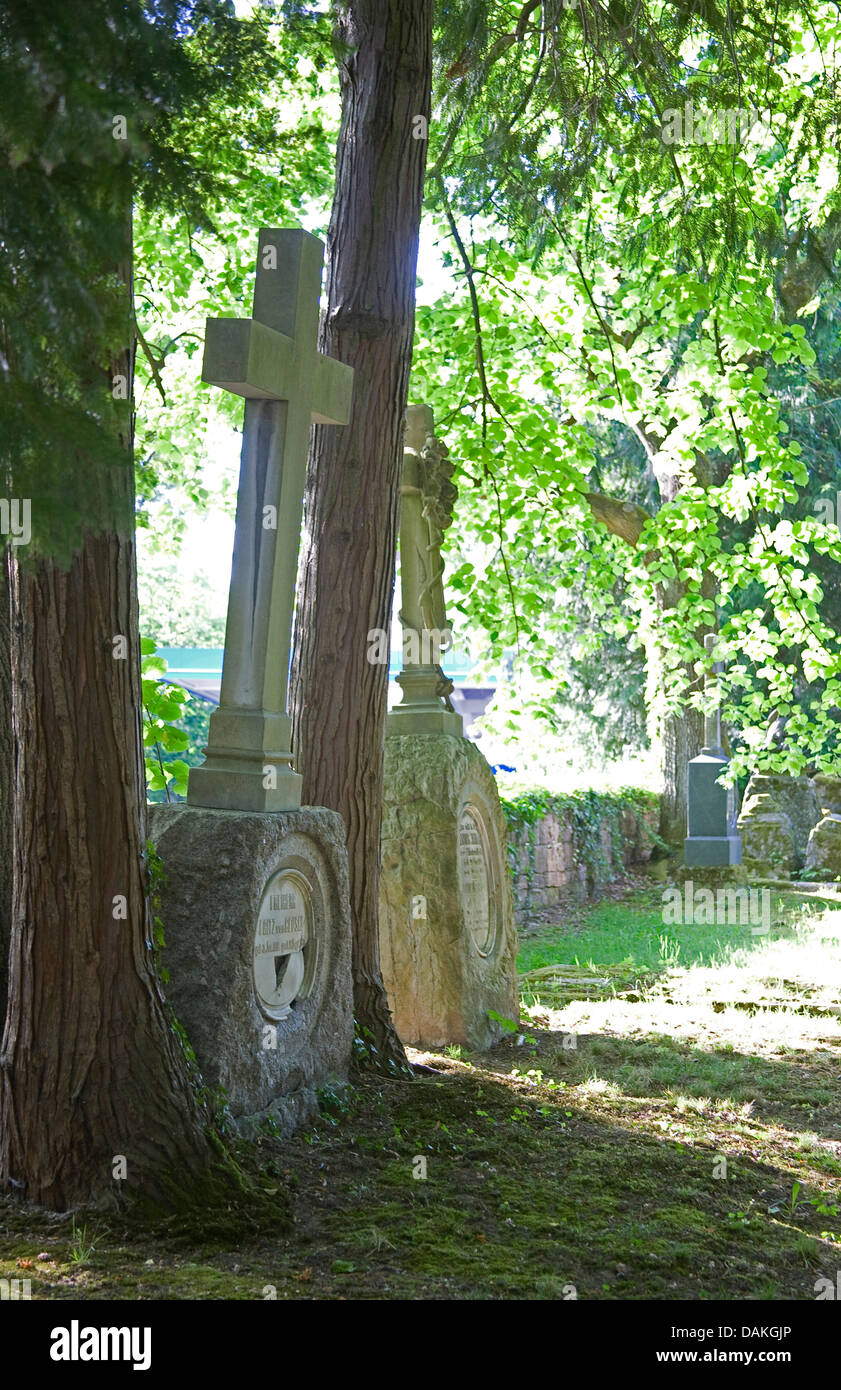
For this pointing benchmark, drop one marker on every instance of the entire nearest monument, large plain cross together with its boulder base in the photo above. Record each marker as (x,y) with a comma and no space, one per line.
(255,904)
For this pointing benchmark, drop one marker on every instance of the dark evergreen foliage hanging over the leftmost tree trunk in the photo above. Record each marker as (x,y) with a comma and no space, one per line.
(76,151)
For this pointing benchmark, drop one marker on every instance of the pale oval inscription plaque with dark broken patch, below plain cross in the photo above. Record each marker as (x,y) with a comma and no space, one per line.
(281,939)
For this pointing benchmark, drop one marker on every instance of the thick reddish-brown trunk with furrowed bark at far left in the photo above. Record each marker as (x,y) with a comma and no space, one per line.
(90,1068)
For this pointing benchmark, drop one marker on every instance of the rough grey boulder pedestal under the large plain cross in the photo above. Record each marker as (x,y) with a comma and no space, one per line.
(258,946)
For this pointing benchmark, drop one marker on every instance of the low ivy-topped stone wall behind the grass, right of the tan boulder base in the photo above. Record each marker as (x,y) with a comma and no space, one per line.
(569,846)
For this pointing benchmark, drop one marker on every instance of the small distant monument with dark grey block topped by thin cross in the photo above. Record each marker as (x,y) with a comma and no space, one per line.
(711,814)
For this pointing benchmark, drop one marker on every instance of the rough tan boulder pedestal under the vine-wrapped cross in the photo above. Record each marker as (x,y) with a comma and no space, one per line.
(447,929)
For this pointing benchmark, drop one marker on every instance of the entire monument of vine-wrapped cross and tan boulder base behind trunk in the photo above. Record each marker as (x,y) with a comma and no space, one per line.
(447,929)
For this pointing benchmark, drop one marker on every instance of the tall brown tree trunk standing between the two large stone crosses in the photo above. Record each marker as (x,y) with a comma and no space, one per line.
(352,501)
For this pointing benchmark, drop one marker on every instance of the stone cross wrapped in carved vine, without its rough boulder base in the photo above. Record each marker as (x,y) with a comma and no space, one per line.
(427,500)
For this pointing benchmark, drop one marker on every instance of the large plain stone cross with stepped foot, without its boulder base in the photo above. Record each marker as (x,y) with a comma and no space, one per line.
(272,359)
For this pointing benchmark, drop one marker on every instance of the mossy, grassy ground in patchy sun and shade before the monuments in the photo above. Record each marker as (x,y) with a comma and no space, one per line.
(672,1135)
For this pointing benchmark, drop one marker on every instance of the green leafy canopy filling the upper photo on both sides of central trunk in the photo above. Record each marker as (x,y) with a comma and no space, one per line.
(636,368)
